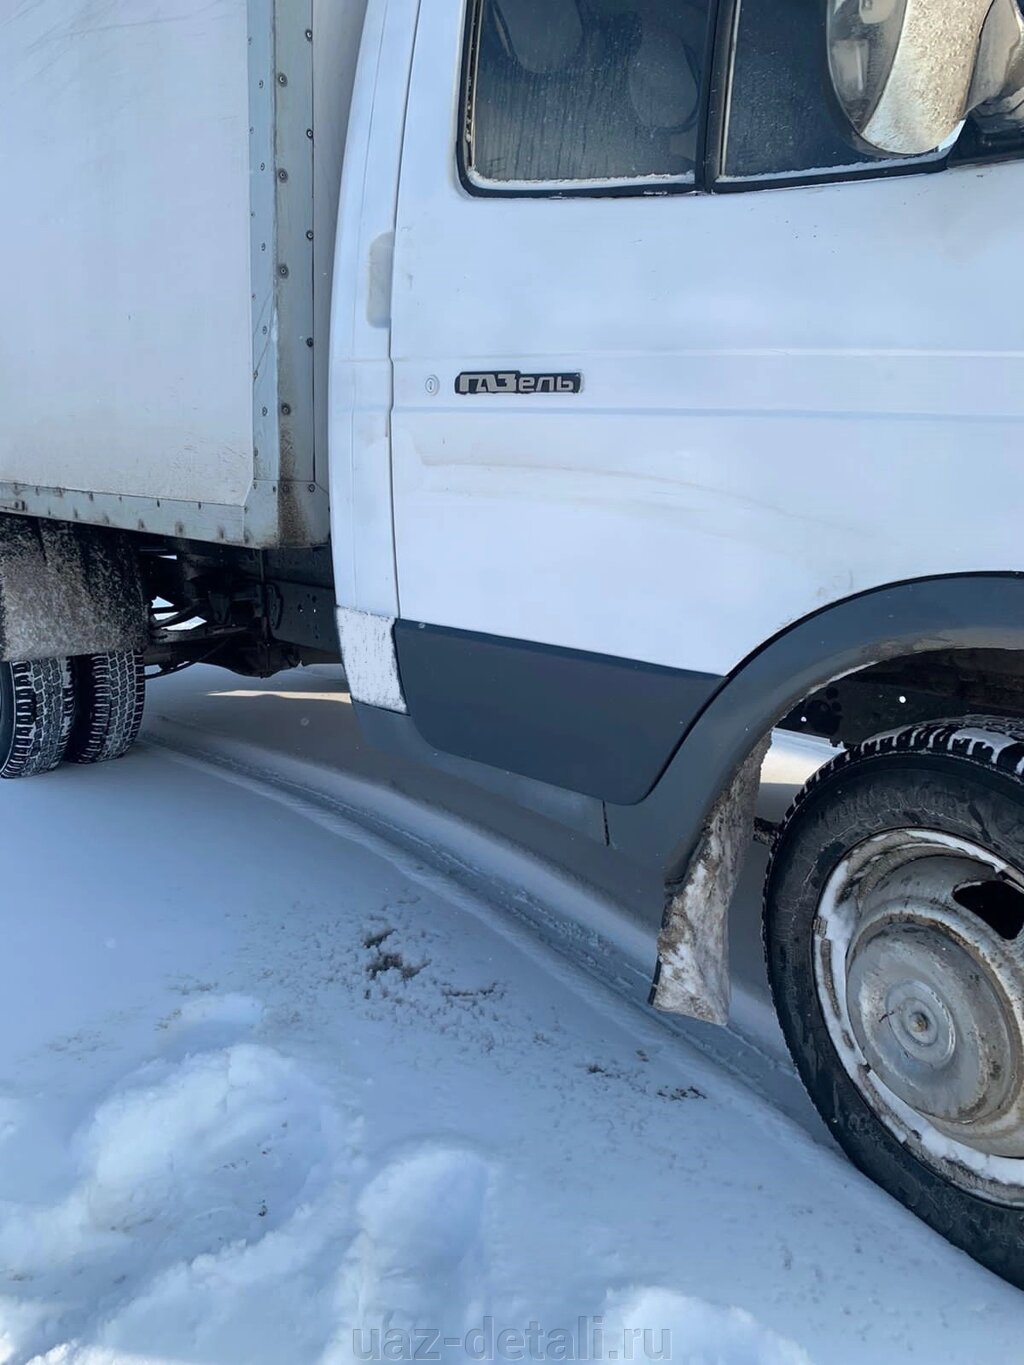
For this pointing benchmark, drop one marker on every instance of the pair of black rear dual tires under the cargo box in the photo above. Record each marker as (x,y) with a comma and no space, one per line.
(85,710)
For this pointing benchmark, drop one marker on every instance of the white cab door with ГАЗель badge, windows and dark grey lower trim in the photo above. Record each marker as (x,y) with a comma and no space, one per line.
(671,360)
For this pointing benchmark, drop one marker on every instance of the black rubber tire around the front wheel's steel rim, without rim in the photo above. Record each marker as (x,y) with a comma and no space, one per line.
(959,779)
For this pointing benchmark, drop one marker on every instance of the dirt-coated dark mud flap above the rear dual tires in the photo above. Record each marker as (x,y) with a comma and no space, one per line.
(68,590)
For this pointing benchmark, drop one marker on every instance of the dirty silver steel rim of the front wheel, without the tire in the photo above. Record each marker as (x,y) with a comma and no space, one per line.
(924,1000)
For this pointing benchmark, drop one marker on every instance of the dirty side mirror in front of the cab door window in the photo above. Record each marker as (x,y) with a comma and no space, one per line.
(907,73)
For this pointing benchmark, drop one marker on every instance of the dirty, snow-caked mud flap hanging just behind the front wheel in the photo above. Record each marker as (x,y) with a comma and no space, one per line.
(693,973)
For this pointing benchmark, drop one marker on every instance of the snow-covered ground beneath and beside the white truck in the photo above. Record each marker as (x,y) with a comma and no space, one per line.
(282,1083)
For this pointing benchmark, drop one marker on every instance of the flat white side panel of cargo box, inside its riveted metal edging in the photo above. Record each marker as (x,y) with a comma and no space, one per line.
(126,357)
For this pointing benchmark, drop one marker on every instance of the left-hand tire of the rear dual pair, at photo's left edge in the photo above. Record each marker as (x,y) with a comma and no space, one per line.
(38,710)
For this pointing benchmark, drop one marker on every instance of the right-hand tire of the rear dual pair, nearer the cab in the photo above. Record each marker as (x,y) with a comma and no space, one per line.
(111,695)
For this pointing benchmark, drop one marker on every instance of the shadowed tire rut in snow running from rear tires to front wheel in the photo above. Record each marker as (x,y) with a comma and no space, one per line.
(601,967)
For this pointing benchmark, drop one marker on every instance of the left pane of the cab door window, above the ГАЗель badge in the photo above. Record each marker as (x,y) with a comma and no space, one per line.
(584,94)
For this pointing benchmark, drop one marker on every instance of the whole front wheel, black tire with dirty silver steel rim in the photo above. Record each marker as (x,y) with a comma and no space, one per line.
(895,944)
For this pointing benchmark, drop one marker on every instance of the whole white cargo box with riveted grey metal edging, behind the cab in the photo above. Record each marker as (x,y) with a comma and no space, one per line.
(171,175)
